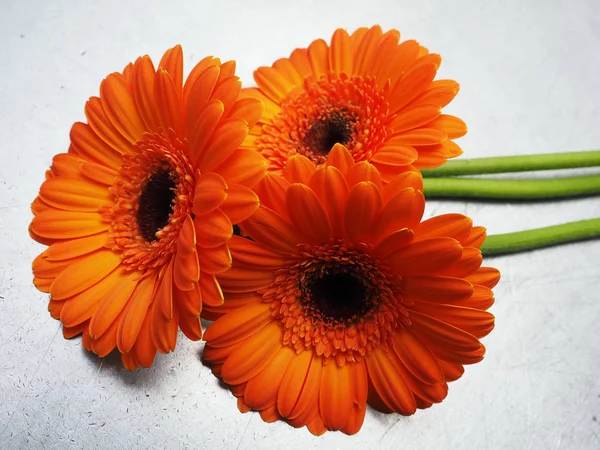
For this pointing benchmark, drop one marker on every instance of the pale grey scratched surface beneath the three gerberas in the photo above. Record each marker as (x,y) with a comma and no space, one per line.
(530,77)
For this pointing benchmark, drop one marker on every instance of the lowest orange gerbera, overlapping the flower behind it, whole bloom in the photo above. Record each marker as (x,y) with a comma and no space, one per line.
(345,297)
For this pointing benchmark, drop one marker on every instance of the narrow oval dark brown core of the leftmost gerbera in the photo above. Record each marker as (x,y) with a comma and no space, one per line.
(156,203)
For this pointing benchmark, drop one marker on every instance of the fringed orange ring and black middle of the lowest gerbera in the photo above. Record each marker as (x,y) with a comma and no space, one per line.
(337,300)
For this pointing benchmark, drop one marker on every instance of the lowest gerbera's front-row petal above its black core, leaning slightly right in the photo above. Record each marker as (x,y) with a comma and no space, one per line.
(363,204)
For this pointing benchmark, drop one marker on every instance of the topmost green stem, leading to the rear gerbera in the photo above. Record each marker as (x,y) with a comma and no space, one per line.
(526,163)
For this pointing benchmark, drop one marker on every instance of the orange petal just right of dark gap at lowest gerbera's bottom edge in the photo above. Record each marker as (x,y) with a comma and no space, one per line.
(389,383)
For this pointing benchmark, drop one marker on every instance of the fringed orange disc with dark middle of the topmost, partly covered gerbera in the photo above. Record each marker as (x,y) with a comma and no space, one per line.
(334,109)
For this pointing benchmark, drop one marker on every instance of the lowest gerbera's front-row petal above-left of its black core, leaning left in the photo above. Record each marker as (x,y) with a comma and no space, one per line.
(307,213)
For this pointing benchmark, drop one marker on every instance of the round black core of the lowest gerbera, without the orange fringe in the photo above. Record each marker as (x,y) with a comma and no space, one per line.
(340,297)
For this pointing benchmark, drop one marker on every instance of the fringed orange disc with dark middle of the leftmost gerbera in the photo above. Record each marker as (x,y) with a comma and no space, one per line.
(151,198)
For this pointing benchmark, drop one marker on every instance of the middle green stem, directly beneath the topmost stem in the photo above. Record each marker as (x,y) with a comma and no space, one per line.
(512,189)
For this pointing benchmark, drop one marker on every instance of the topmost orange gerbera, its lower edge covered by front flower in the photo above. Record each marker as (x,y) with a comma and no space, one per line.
(365,91)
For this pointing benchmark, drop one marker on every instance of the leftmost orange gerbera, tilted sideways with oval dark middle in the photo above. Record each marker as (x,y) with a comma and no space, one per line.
(138,213)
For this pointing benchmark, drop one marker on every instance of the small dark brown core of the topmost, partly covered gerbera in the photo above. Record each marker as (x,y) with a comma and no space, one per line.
(335,128)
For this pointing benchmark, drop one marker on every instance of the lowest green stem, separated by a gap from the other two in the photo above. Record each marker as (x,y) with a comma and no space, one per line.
(541,237)
